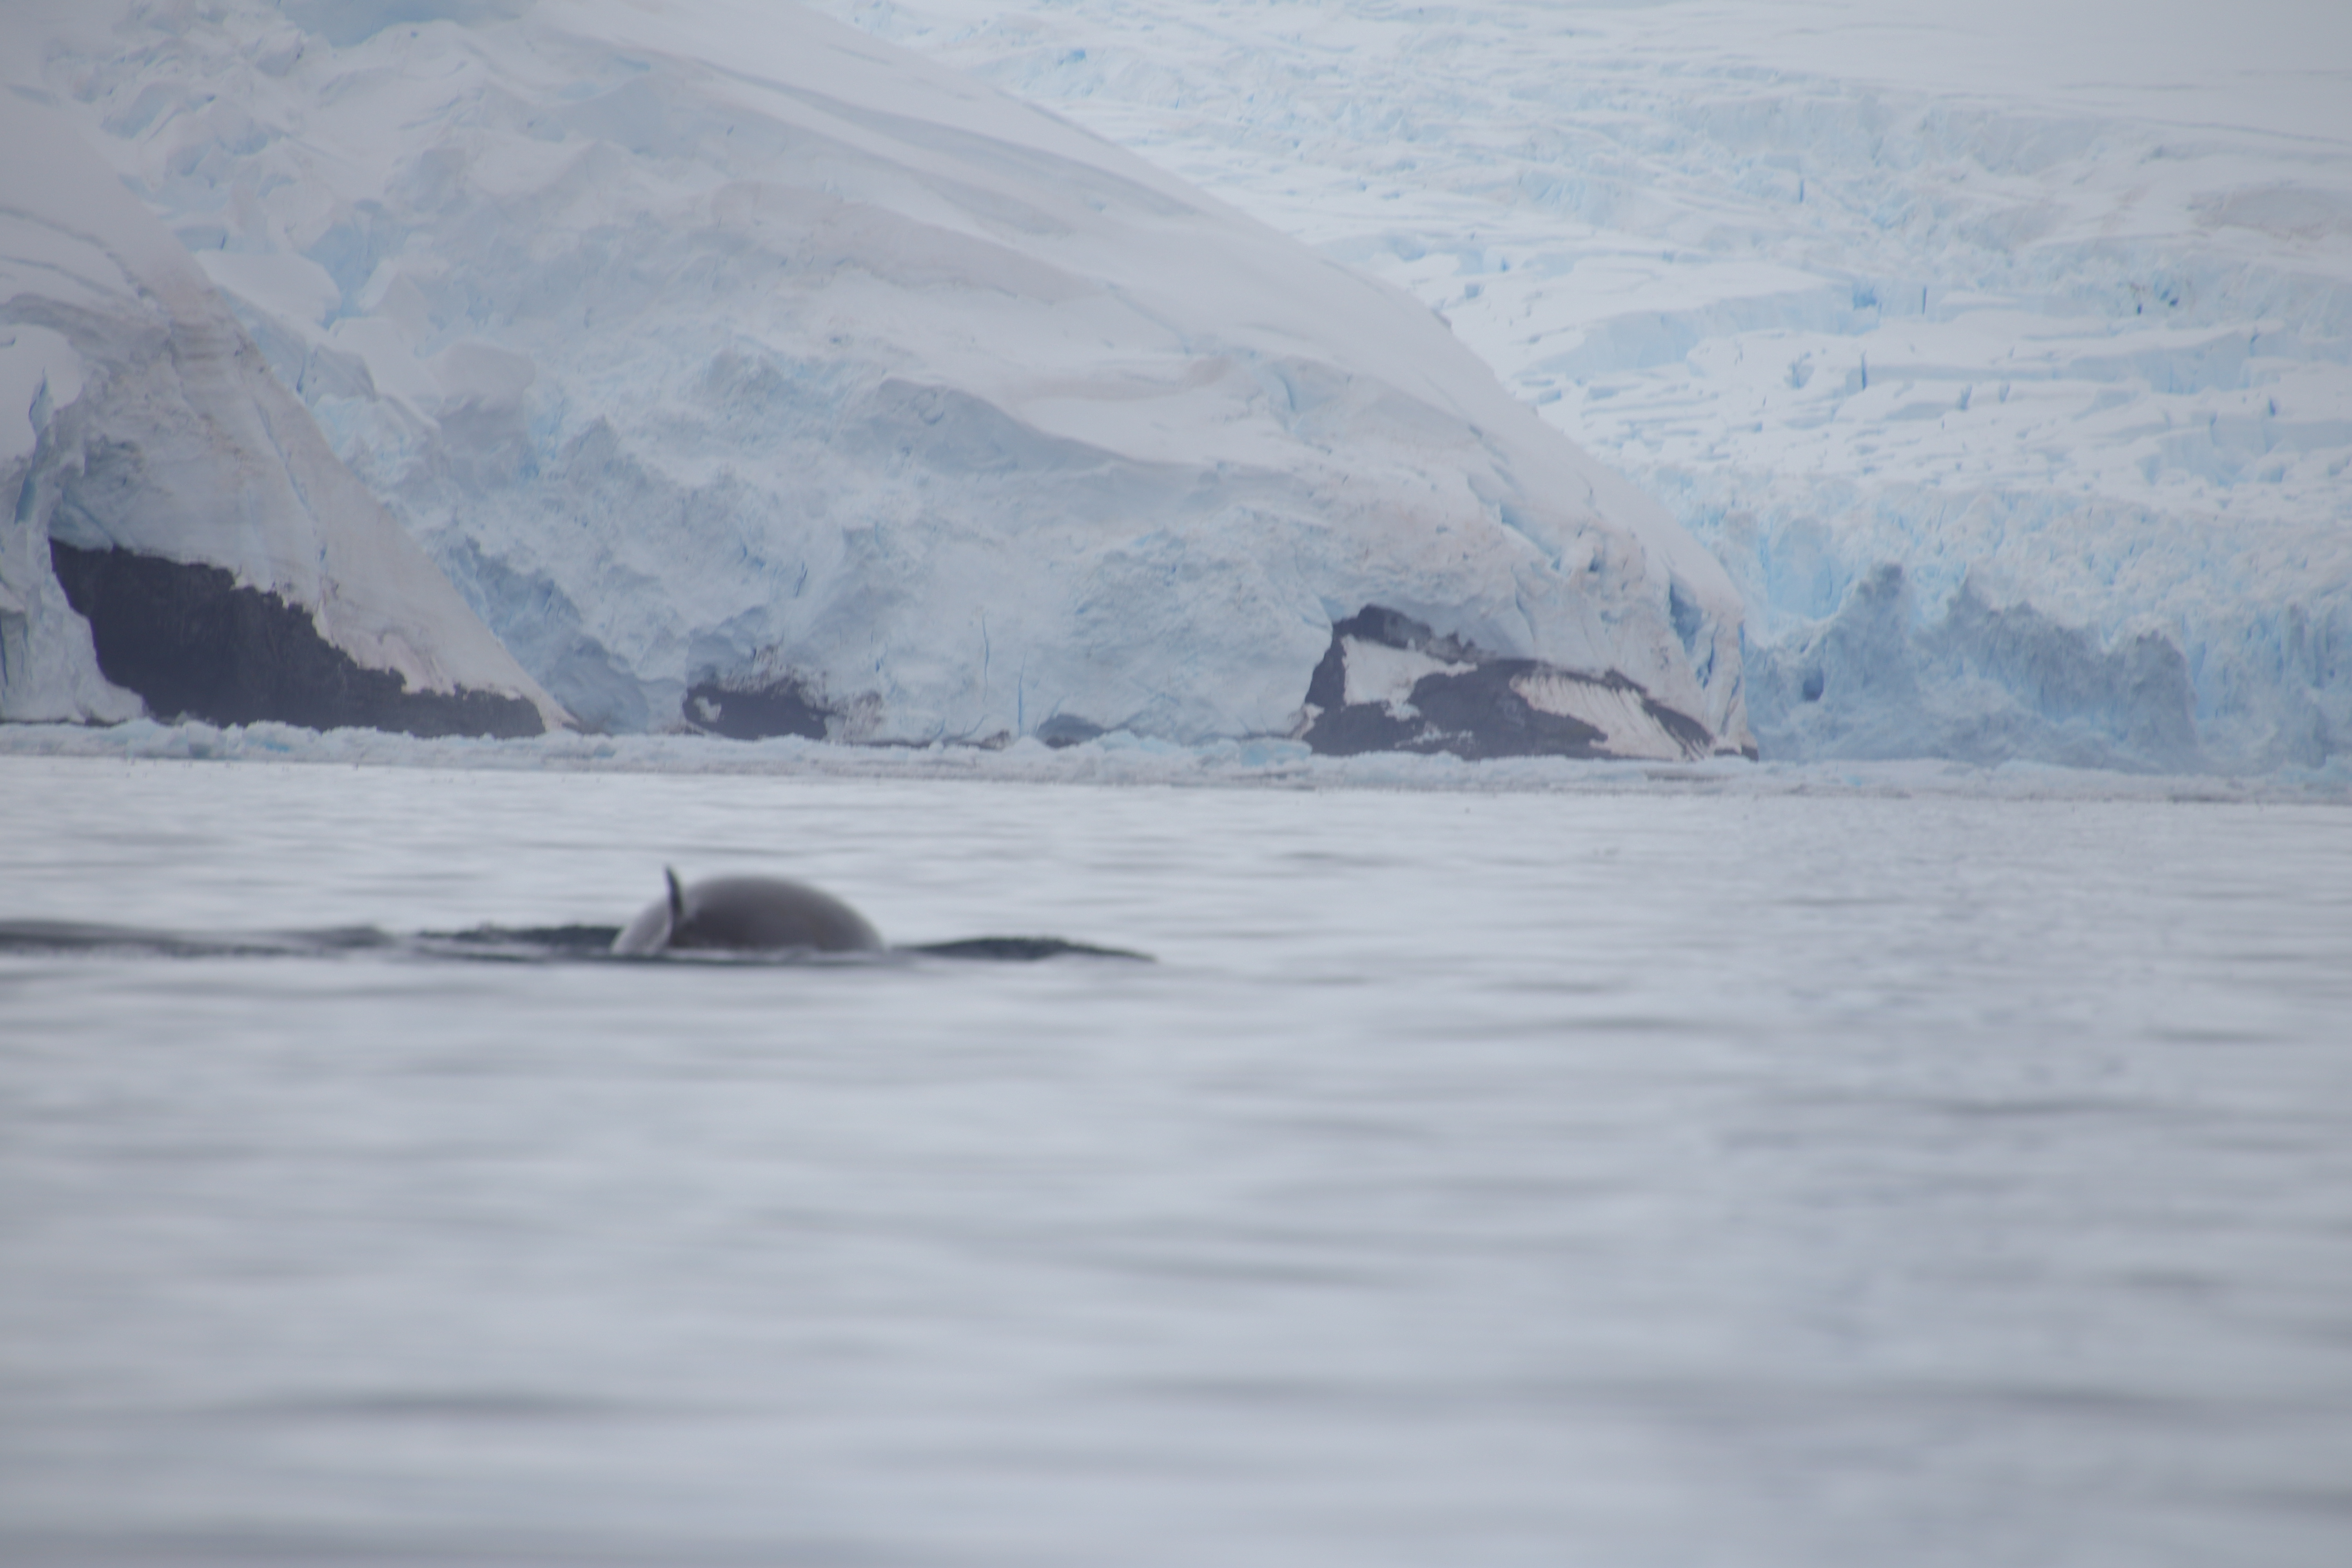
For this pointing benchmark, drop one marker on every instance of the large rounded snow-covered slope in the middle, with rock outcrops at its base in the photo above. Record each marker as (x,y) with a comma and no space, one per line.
(756,375)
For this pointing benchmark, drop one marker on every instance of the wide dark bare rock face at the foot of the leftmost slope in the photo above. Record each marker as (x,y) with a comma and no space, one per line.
(196,645)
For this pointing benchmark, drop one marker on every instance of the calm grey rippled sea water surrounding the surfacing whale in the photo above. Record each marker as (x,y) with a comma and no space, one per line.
(1652,1179)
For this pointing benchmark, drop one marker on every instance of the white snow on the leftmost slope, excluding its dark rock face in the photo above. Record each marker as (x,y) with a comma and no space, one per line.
(140,415)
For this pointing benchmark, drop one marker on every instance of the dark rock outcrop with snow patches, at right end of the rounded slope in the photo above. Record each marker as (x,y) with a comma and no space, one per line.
(1476,704)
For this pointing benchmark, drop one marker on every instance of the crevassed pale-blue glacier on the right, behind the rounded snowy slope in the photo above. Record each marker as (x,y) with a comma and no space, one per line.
(2000,349)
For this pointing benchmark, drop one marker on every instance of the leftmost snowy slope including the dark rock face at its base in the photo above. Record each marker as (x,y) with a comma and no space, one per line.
(222,561)
